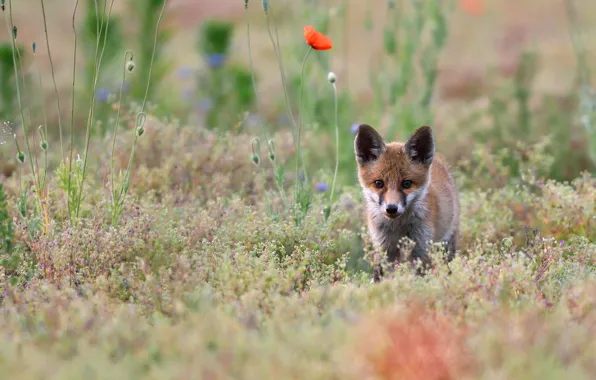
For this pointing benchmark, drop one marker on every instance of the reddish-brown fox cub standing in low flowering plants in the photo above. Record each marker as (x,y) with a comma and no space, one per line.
(409,192)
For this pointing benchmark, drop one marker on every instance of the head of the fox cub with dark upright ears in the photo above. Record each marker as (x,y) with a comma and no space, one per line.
(393,176)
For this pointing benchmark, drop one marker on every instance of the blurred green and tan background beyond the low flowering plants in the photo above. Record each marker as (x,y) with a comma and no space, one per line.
(509,76)
